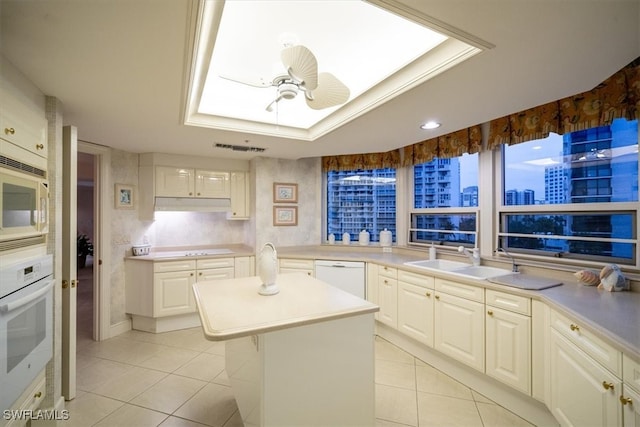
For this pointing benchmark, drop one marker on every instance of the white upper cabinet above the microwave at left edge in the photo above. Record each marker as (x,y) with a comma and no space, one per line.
(25,129)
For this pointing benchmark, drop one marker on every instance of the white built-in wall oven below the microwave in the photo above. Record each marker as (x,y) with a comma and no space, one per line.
(26,324)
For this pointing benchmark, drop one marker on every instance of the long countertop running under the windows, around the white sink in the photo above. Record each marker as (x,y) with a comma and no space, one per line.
(613,316)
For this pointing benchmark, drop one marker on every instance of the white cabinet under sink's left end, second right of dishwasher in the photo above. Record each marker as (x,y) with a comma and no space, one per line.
(415,306)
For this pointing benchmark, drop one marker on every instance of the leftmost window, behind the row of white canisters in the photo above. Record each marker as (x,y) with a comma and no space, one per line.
(361,199)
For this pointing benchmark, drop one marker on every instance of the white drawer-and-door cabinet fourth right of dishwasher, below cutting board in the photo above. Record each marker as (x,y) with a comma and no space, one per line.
(508,339)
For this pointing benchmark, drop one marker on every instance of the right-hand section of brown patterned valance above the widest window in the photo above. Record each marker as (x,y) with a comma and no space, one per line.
(616,97)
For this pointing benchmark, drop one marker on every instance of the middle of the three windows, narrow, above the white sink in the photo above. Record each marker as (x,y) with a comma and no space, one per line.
(445,200)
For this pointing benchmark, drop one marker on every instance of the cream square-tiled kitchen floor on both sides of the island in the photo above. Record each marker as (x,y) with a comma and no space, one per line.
(178,379)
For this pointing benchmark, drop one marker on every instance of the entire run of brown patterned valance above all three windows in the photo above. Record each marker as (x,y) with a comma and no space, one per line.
(616,97)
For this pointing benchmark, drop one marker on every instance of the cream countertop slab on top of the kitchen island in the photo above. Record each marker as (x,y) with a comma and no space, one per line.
(232,308)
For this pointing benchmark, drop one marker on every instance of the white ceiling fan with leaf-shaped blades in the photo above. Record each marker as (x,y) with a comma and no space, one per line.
(321,90)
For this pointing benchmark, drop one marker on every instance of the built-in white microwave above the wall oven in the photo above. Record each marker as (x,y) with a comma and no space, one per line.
(24,199)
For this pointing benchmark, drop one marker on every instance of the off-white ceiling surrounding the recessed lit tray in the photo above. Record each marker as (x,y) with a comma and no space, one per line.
(120,69)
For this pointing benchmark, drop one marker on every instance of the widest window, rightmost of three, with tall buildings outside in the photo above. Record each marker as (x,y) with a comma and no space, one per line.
(573,196)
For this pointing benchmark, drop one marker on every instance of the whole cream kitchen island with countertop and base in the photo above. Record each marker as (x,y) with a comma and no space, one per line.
(302,357)
